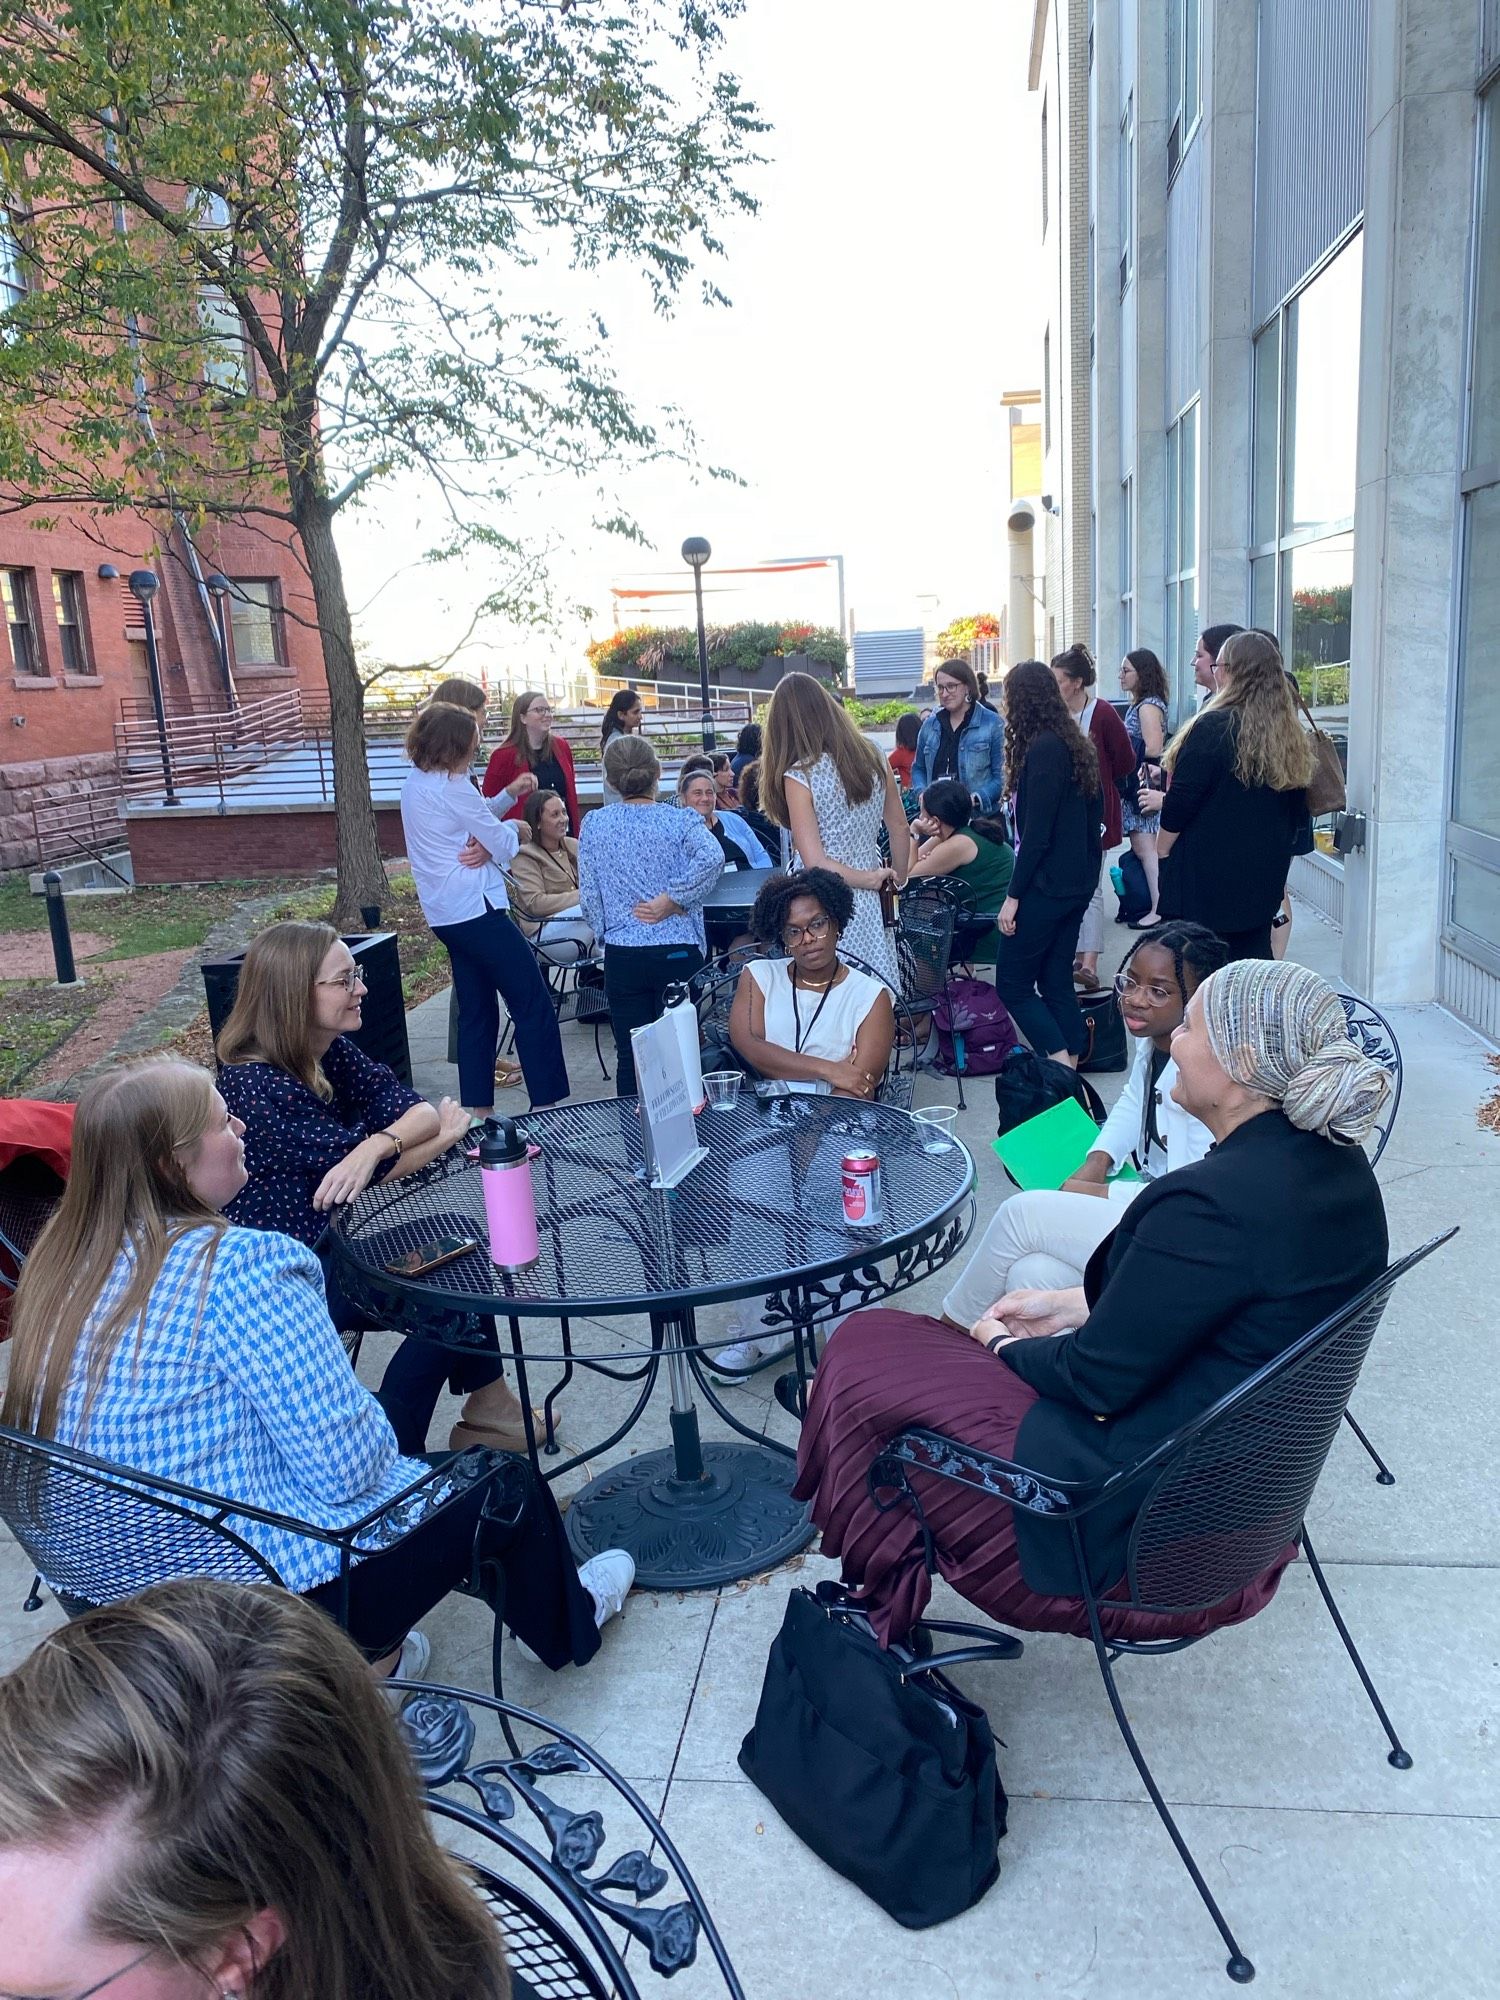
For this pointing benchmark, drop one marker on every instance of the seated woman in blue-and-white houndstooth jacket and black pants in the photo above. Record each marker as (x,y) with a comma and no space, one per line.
(153,1333)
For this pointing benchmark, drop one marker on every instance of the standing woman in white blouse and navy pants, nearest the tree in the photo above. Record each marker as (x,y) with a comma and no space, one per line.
(459,849)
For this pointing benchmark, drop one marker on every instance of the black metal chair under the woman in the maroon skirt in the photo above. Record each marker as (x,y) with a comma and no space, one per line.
(1219,1501)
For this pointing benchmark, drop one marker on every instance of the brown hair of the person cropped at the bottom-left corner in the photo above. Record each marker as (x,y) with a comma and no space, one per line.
(247,1759)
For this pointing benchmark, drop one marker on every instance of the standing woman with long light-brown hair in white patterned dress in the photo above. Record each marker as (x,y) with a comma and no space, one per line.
(831,789)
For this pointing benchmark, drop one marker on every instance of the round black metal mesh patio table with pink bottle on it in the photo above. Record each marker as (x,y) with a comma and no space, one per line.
(759,1219)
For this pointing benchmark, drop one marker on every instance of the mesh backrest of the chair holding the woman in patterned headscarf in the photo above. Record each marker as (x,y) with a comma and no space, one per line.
(1233,1487)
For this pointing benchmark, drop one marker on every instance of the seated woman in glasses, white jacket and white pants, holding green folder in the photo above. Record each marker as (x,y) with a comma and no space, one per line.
(1045,1239)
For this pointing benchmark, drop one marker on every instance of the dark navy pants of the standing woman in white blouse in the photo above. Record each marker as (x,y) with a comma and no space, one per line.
(493,961)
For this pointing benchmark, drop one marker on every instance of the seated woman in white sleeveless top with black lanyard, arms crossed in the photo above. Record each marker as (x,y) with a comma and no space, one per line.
(809,1019)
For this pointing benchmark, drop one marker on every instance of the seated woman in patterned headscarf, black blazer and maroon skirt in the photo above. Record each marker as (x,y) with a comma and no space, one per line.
(1213,1273)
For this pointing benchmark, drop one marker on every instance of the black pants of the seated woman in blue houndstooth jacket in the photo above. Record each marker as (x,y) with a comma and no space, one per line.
(511,1529)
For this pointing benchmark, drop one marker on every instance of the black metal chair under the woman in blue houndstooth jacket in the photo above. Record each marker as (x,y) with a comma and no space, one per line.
(97,1531)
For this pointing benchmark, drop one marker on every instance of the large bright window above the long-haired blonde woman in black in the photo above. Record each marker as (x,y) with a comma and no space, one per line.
(1307,367)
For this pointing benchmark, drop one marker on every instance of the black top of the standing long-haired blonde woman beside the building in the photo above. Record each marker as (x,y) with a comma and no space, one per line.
(1235,841)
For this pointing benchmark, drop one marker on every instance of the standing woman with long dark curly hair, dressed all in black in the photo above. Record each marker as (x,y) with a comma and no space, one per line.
(1055,783)
